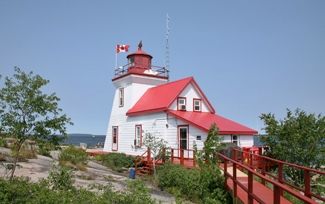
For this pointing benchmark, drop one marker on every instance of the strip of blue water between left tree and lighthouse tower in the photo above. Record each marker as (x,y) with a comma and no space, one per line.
(90,140)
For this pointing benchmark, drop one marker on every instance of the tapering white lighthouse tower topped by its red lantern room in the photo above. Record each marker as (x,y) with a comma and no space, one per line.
(131,81)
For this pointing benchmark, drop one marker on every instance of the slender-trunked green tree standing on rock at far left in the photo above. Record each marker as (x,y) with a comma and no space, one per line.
(28,113)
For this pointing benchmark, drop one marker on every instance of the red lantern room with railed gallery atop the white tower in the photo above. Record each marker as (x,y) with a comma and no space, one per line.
(139,63)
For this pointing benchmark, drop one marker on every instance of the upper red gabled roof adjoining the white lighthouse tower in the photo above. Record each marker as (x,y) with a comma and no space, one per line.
(159,98)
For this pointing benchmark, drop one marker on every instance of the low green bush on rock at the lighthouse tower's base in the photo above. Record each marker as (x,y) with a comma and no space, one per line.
(116,161)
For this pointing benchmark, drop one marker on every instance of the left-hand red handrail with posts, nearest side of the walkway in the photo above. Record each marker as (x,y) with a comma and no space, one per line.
(276,185)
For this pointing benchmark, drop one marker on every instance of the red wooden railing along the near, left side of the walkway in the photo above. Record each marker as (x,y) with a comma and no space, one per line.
(277,186)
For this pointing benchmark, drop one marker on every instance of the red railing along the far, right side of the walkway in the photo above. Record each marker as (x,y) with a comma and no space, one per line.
(262,164)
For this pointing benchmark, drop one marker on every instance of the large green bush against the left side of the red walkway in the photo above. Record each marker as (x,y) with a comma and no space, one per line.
(198,185)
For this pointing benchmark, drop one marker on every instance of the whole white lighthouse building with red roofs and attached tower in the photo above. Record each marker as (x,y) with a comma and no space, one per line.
(177,111)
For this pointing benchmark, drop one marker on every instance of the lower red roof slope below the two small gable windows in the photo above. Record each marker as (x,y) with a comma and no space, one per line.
(204,120)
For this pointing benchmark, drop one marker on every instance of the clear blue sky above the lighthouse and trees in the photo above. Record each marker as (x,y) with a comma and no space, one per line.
(249,57)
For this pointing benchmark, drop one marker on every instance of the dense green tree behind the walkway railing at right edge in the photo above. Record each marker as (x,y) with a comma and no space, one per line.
(298,138)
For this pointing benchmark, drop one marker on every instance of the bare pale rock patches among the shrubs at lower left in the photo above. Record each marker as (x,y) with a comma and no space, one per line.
(95,173)
